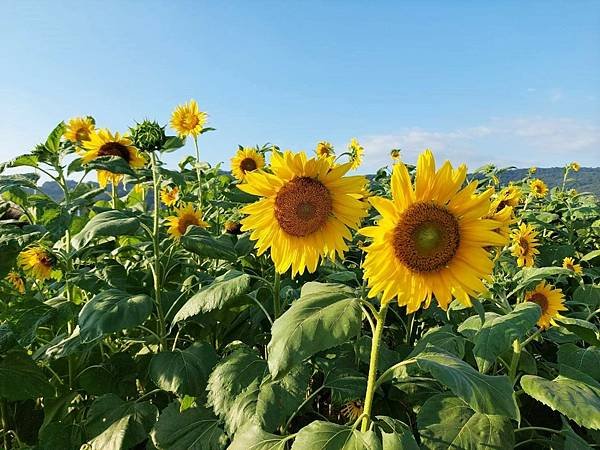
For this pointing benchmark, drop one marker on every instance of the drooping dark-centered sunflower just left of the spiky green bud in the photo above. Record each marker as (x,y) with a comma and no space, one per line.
(104,143)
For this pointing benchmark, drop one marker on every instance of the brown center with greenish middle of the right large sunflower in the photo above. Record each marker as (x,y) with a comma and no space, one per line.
(426,237)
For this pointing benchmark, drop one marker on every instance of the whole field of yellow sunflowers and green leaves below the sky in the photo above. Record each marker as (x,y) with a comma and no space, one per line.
(285,302)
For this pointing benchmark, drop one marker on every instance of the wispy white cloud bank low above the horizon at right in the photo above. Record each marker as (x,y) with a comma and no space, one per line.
(520,141)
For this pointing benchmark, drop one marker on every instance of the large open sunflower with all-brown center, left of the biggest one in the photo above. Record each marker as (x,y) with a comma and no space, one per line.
(306,210)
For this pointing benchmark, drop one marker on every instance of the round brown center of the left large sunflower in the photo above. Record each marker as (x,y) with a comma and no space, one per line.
(302,206)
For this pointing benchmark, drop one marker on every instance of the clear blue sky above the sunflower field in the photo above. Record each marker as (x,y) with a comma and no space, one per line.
(504,82)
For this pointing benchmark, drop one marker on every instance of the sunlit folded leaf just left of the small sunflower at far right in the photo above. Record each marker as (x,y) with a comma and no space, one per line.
(497,335)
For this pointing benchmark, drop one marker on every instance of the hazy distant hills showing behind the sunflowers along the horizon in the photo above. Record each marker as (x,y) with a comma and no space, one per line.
(586,180)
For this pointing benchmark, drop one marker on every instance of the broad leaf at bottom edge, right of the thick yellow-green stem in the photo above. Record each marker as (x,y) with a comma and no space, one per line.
(446,422)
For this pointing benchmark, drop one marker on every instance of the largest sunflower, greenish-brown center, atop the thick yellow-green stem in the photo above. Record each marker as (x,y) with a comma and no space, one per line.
(432,239)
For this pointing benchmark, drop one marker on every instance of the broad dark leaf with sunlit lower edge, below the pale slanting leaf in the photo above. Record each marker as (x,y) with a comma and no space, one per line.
(184,372)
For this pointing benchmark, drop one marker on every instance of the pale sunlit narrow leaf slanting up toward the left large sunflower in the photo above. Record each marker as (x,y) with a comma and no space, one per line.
(217,295)
